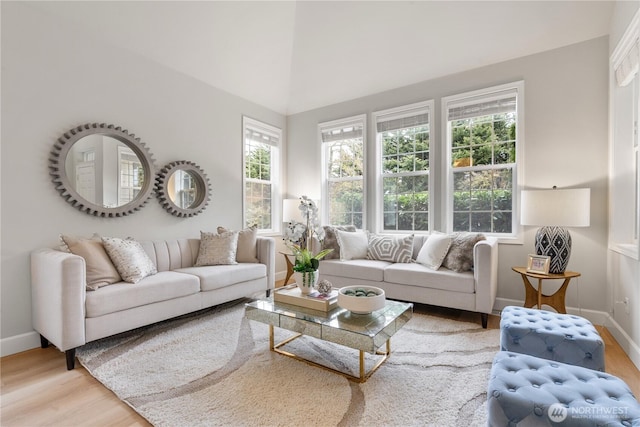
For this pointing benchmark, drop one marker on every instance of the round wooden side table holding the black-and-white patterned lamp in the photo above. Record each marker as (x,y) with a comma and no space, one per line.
(535,297)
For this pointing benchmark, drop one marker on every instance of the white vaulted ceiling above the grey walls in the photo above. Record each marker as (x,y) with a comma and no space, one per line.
(293,56)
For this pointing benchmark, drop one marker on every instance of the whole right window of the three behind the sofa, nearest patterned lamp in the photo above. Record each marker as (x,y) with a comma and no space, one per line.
(483,140)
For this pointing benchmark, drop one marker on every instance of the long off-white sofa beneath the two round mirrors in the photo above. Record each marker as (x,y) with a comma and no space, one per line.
(68,316)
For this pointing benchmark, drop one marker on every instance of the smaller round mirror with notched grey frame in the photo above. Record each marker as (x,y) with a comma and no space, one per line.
(183,188)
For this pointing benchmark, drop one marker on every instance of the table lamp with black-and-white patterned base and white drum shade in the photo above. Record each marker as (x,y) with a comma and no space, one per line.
(554,210)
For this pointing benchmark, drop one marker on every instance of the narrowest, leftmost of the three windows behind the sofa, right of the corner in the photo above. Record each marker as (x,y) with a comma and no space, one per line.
(343,171)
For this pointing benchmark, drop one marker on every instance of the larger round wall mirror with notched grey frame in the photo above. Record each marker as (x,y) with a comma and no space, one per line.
(102,170)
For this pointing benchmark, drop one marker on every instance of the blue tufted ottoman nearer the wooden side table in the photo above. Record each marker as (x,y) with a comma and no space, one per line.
(554,336)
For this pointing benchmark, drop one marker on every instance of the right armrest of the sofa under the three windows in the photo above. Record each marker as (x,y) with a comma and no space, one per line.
(485,271)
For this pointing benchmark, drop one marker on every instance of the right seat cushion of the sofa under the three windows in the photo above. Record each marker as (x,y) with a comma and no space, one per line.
(419,275)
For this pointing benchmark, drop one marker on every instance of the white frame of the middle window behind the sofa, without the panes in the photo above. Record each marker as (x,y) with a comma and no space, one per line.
(402,111)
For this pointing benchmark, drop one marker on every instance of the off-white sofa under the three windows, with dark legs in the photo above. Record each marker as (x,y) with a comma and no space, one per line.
(473,290)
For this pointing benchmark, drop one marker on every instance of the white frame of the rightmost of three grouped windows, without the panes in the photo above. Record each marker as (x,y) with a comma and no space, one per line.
(474,97)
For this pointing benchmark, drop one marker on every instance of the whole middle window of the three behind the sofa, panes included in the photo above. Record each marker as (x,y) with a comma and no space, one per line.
(403,156)
